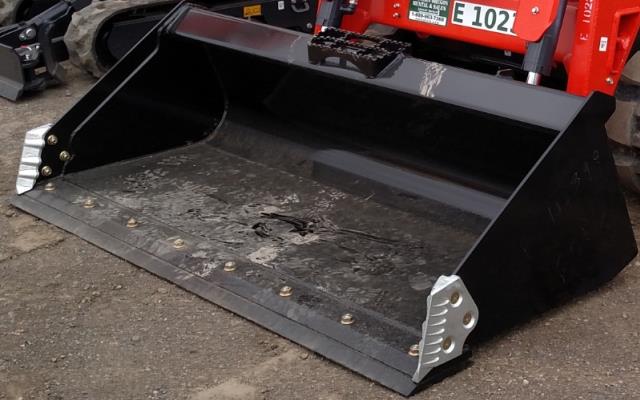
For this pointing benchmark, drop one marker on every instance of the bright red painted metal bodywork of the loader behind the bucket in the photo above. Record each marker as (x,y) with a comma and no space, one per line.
(595,41)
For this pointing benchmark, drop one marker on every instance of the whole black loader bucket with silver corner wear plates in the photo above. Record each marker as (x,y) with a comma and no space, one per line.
(384,222)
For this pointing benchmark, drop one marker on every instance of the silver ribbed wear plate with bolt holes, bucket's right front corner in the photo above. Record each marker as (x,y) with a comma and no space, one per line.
(451,316)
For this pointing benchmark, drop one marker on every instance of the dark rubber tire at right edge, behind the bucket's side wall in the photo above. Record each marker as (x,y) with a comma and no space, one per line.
(624,126)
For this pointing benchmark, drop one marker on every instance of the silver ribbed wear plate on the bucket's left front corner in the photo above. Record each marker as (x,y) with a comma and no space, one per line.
(30,161)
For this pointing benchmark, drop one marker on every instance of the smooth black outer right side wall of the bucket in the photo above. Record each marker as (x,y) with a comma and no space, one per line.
(565,231)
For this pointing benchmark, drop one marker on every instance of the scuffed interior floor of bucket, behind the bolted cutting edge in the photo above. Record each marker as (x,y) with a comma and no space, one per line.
(372,255)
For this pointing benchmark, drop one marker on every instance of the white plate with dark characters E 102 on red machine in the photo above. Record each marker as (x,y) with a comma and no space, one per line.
(487,18)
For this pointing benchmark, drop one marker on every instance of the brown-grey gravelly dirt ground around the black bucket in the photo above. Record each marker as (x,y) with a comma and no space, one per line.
(78,323)
